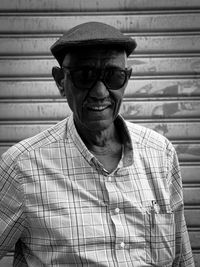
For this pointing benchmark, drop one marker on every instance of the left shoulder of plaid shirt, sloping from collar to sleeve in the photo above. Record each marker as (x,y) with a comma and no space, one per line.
(45,138)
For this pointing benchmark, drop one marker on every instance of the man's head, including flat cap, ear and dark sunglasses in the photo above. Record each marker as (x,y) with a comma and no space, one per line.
(93,73)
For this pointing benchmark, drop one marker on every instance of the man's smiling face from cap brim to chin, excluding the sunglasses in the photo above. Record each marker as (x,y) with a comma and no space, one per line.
(95,108)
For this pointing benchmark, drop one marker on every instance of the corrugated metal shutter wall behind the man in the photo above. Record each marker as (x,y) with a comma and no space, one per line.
(163,94)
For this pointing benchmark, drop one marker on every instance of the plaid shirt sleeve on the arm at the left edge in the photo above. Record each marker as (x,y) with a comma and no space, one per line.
(12,218)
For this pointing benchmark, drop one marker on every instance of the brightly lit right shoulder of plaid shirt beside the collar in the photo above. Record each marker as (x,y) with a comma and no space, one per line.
(147,137)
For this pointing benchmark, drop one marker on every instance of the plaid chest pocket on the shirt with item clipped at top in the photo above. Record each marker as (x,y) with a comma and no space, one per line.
(159,235)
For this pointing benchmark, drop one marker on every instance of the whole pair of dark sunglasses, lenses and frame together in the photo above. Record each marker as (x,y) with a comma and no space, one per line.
(113,78)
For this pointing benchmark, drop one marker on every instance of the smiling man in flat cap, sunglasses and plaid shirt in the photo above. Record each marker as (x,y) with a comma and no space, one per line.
(94,190)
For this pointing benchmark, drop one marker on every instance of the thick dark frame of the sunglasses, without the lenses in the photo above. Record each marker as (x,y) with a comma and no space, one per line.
(101,73)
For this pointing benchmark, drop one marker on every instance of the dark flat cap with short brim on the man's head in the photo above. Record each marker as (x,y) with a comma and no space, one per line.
(91,34)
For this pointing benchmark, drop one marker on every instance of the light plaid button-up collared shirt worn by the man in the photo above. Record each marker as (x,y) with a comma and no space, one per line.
(62,208)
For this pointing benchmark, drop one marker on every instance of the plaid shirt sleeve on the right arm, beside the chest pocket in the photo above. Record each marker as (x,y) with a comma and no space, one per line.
(184,257)
